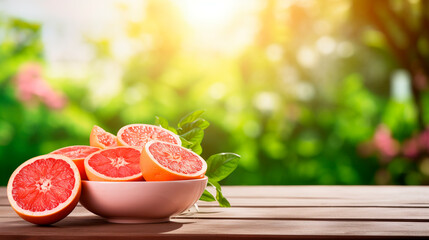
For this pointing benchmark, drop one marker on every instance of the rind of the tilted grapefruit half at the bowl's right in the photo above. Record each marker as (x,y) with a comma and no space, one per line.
(152,170)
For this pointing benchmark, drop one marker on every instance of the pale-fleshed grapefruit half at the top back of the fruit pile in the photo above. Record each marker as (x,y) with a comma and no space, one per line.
(137,135)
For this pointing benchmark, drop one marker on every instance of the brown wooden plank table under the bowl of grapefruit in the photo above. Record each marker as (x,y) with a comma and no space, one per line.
(258,212)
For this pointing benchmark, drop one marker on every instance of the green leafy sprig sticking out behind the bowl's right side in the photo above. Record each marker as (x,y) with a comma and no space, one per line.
(191,132)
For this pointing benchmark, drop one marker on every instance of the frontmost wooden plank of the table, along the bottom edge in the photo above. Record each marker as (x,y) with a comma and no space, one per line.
(96,228)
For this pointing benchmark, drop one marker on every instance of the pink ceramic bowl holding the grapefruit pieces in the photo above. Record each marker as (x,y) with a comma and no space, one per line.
(140,202)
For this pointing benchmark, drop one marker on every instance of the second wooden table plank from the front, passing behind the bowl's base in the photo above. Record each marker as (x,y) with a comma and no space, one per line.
(318,213)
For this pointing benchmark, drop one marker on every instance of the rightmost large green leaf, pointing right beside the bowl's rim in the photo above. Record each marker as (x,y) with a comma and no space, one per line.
(220,165)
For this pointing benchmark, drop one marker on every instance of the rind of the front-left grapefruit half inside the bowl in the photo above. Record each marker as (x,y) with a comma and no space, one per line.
(94,175)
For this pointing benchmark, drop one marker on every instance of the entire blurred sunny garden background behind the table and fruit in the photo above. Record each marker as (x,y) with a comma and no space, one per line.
(307,92)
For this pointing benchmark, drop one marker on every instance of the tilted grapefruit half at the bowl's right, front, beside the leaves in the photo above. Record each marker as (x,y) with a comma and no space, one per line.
(161,161)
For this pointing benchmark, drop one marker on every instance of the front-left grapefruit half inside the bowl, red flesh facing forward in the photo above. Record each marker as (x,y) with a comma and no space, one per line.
(114,164)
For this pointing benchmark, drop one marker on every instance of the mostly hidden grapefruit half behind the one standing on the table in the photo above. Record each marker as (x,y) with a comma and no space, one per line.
(77,154)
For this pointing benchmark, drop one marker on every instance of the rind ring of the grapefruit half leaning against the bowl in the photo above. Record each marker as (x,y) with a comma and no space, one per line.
(55,214)
